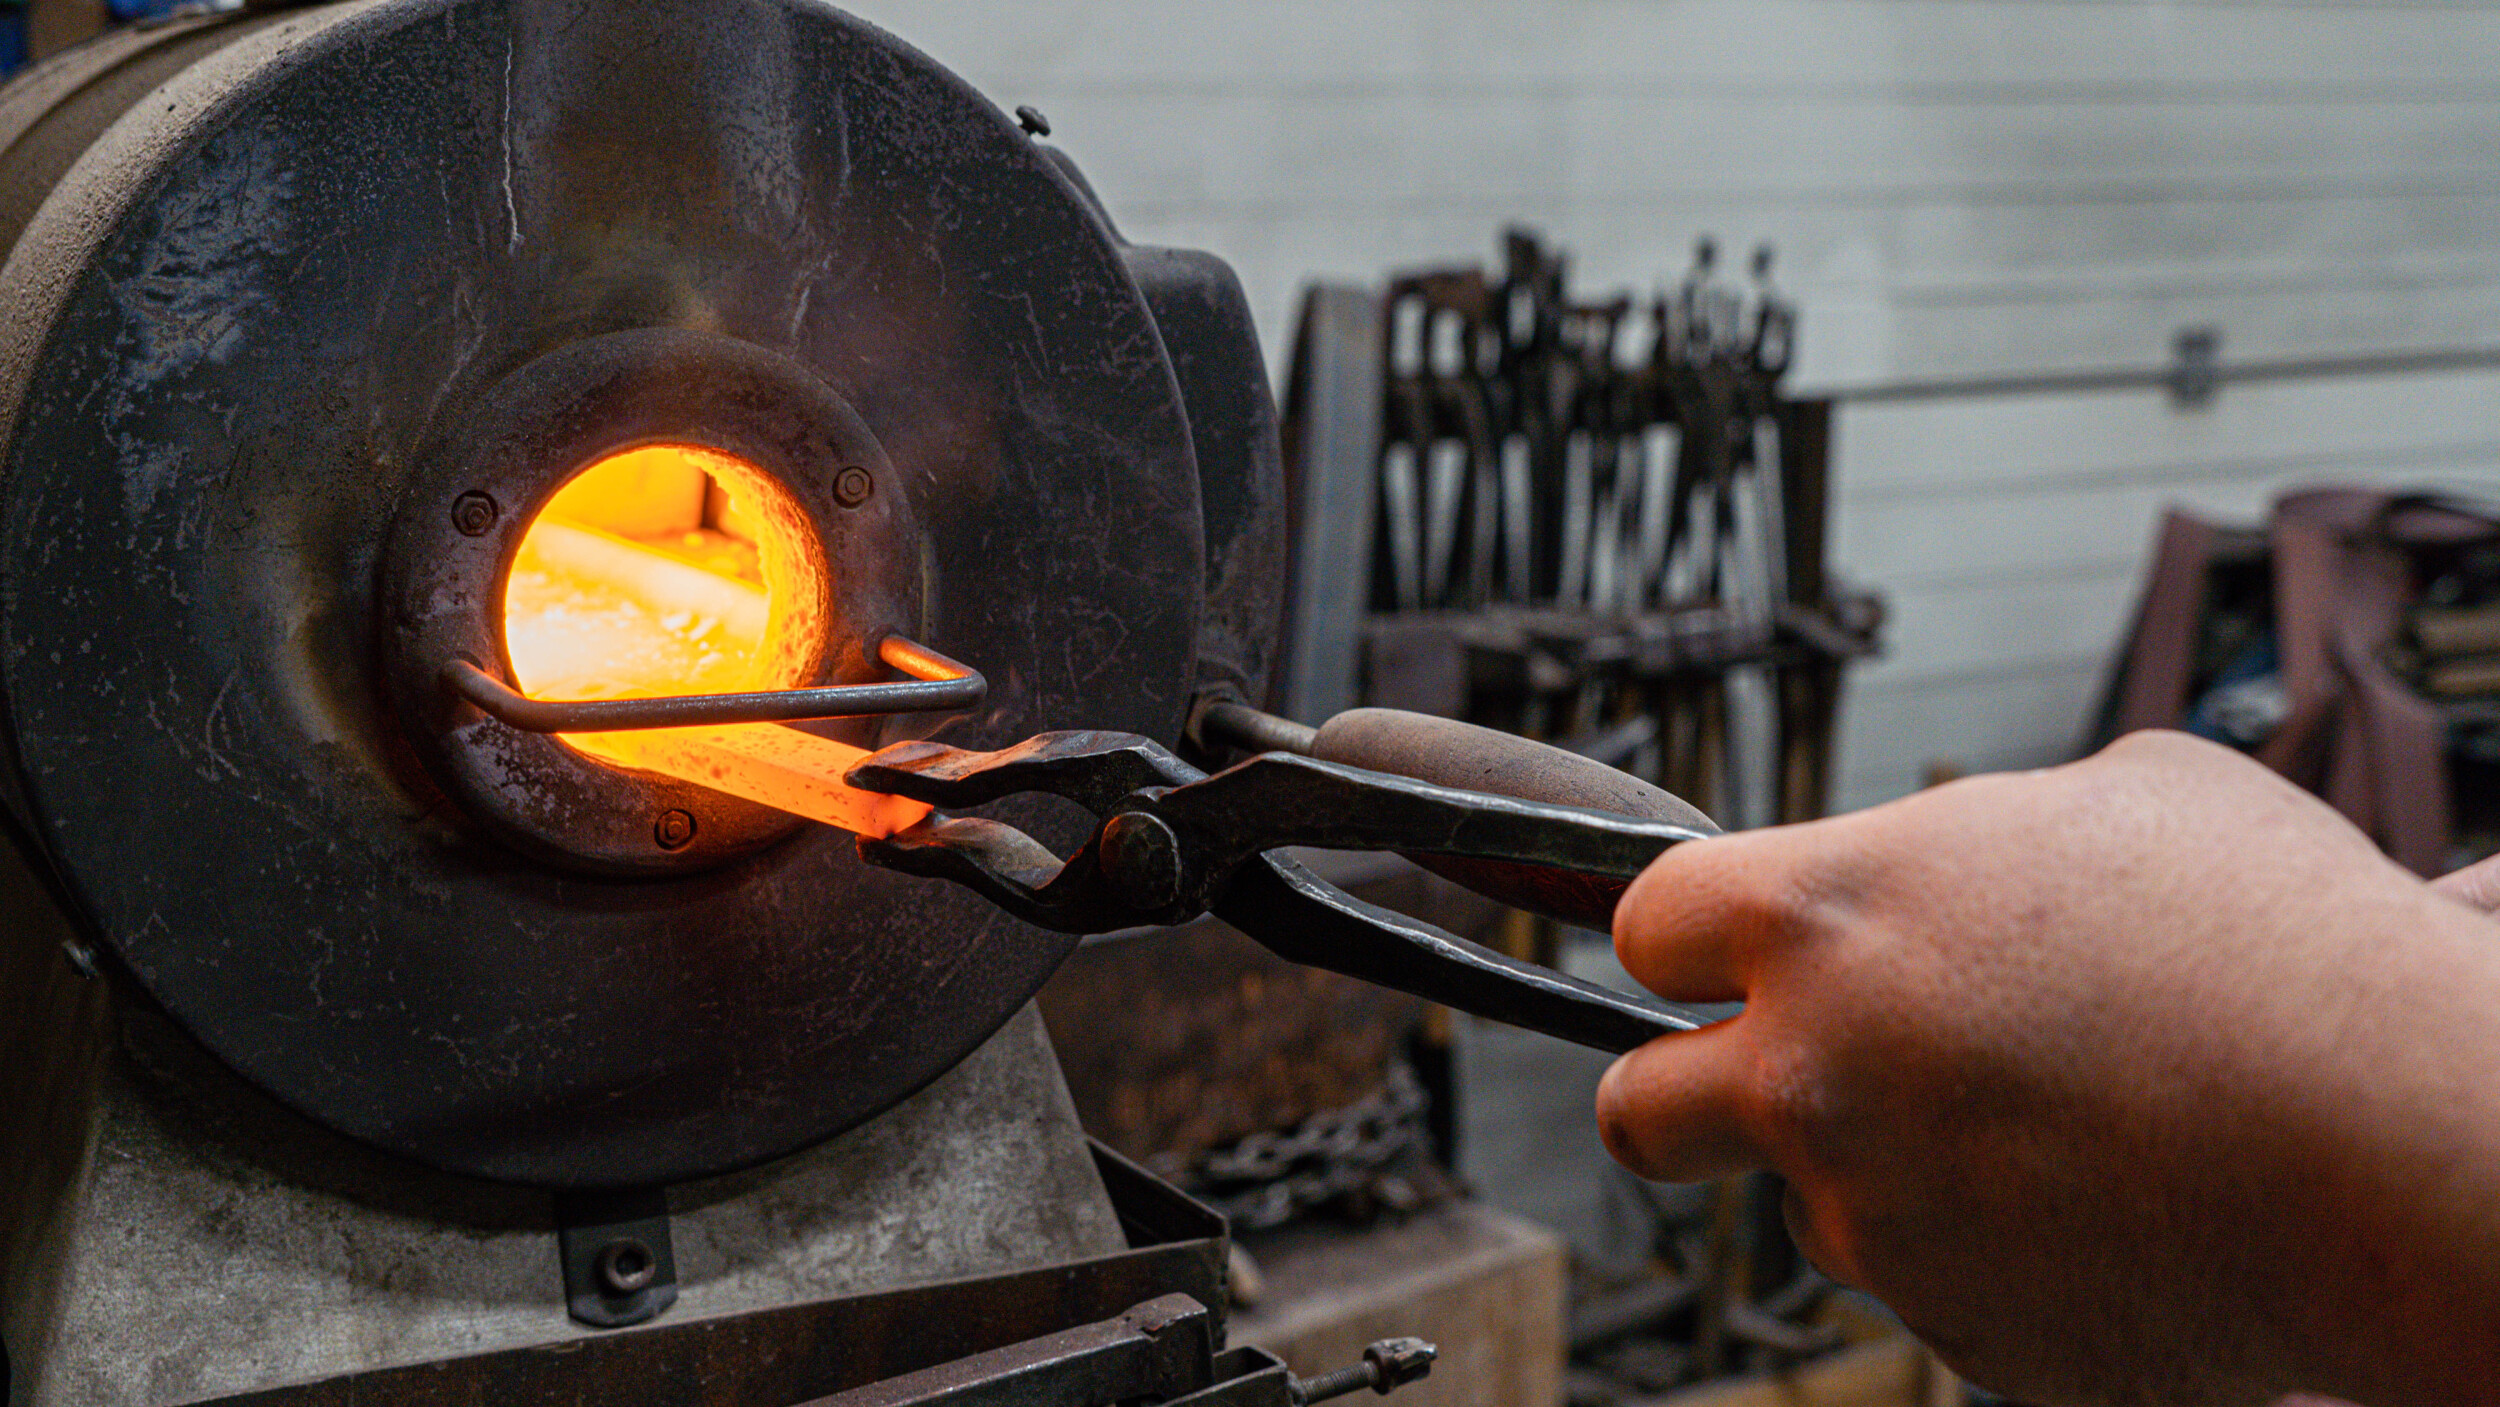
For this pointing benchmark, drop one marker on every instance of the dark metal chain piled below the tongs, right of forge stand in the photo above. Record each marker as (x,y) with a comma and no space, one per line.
(1269,1178)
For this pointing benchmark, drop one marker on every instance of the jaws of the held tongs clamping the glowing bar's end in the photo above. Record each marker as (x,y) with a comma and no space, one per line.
(1006,866)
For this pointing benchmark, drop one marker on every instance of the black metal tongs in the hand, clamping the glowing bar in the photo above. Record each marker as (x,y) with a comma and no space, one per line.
(1176,843)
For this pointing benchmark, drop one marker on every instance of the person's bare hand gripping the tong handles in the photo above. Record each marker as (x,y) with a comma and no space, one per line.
(2134,1081)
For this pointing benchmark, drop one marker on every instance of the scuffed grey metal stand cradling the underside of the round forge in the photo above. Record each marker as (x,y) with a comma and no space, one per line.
(216,1243)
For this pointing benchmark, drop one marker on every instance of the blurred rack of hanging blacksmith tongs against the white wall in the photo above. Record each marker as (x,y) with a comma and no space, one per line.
(1601,524)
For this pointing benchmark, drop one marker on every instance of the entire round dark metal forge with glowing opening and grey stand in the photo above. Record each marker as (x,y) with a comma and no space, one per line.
(474,474)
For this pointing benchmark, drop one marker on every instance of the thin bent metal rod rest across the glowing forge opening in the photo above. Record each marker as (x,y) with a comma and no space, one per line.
(936,686)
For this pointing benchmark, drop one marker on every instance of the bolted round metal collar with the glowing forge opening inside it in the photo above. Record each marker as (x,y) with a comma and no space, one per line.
(699,486)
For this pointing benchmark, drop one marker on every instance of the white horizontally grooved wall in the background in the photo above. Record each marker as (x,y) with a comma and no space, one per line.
(1956,189)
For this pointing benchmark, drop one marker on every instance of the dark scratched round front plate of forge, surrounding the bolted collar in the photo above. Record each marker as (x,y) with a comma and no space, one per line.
(289,276)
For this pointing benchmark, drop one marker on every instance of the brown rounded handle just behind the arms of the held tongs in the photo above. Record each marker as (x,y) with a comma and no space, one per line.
(1454,753)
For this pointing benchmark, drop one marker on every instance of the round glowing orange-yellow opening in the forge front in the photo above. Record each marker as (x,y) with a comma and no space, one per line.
(666,571)
